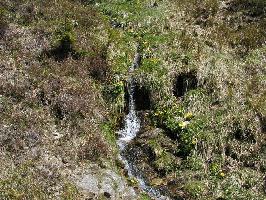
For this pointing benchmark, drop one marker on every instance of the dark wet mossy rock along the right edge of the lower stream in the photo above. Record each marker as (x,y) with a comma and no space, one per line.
(151,153)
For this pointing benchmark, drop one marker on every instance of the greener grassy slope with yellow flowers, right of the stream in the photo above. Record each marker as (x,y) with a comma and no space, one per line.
(223,43)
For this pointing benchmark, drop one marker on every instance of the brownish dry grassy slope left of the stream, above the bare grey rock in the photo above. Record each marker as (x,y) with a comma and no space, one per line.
(53,116)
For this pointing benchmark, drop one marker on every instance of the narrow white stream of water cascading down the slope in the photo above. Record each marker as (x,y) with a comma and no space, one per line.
(127,134)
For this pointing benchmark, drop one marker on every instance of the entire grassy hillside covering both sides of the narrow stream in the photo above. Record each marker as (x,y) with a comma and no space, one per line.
(222,150)
